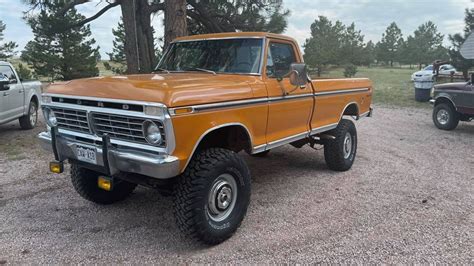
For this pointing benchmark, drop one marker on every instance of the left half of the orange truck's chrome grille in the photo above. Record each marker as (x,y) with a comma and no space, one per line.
(75,120)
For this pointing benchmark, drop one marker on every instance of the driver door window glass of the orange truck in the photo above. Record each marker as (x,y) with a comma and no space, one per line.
(279,59)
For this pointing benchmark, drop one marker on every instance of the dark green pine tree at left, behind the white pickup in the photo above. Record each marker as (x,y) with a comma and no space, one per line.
(60,50)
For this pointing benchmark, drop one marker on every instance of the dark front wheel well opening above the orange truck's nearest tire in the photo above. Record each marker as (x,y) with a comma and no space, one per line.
(235,138)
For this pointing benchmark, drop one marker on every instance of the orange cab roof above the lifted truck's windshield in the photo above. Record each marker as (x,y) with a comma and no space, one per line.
(226,35)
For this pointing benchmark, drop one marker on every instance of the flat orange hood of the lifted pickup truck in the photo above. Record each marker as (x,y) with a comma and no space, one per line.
(173,90)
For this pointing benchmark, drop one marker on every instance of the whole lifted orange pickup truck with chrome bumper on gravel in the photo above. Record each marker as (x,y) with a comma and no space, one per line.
(211,97)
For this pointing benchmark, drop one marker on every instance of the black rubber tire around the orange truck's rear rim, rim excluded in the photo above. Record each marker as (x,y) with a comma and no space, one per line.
(332,153)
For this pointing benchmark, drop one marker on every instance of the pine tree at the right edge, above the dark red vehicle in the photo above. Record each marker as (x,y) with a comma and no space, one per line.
(457,40)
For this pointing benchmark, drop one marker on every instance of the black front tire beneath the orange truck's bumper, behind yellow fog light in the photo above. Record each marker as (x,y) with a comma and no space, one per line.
(85,183)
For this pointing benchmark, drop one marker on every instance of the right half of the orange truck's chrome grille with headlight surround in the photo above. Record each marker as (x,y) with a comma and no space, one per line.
(124,128)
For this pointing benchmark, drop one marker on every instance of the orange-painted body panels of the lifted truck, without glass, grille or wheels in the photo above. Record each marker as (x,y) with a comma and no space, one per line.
(277,117)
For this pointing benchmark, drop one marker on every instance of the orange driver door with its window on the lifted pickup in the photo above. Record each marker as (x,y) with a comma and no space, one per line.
(289,115)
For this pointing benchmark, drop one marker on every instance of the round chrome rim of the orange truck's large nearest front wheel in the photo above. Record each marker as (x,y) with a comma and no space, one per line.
(222,198)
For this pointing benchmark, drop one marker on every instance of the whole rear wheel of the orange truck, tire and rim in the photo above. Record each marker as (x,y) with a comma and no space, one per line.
(340,152)
